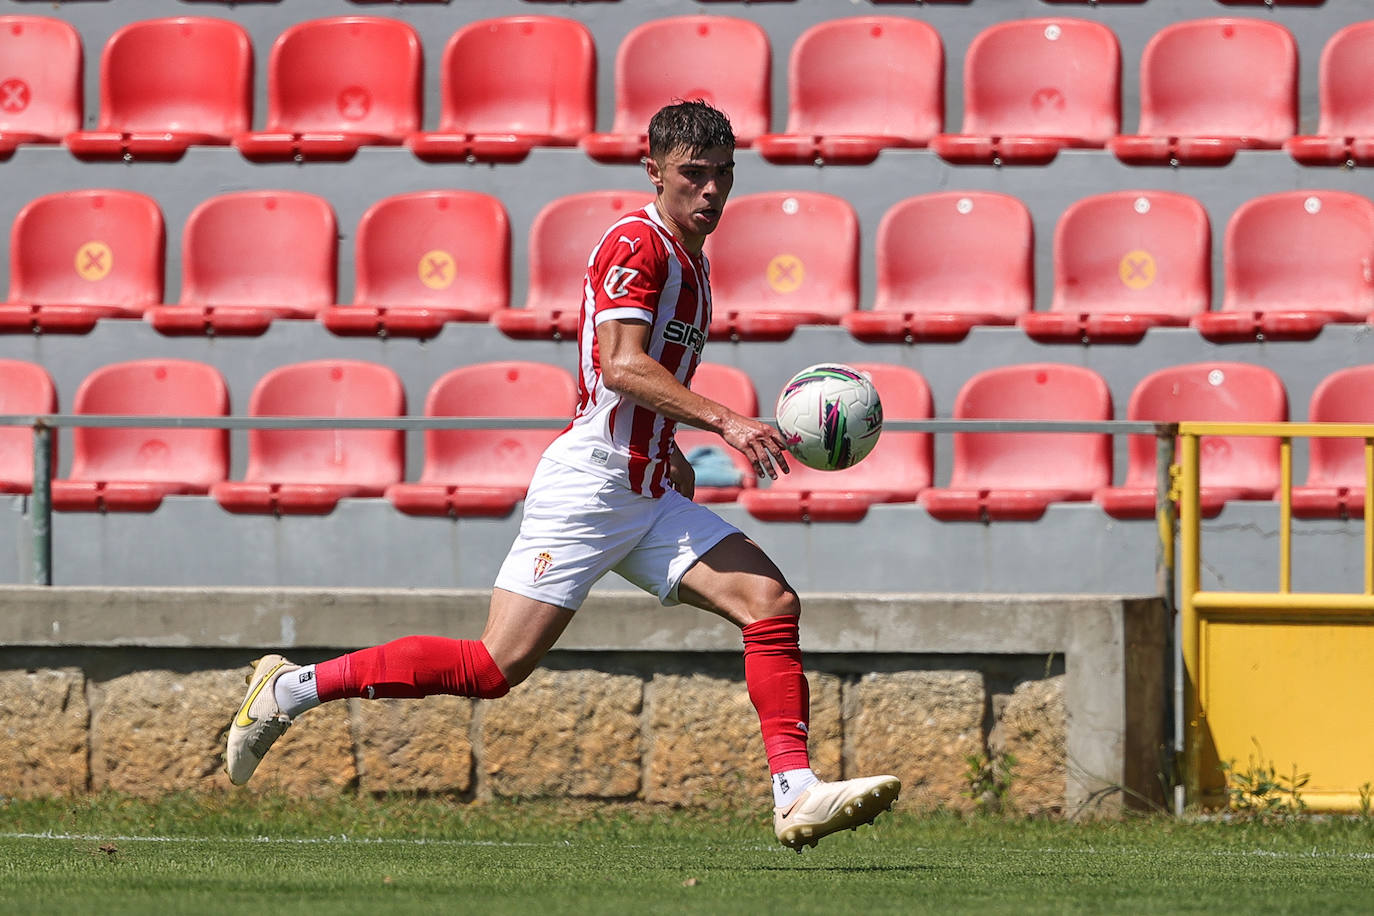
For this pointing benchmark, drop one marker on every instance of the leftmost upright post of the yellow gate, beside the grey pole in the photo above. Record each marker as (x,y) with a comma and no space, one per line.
(1191,532)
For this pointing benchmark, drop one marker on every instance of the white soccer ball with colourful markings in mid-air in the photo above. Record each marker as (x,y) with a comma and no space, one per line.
(831,417)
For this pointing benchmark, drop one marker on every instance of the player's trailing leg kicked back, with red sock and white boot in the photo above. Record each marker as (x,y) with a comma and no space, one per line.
(520,632)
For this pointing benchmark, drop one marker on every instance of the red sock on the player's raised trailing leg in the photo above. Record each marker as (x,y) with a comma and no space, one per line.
(413,667)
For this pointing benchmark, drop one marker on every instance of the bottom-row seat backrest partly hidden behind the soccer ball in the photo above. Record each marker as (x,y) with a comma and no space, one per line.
(901,462)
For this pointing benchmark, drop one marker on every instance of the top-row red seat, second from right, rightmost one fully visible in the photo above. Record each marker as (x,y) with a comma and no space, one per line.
(1211,87)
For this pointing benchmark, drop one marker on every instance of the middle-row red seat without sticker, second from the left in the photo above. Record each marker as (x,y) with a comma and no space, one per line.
(251,257)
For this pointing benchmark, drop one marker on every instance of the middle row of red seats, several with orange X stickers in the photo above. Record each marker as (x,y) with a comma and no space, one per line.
(1125,262)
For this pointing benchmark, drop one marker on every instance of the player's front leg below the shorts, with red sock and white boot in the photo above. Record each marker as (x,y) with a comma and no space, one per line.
(739,582)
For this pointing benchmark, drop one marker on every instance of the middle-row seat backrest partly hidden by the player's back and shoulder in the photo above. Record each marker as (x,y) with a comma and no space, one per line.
(561,242)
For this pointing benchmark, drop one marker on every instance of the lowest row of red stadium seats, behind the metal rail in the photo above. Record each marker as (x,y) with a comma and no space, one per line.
(994,476)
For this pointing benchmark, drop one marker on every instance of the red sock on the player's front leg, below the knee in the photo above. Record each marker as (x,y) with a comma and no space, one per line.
(778,690)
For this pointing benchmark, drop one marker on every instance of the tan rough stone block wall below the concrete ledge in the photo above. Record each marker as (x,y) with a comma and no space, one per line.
(685,740)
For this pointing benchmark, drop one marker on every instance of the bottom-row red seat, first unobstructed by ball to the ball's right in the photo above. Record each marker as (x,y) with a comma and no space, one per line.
(1017,476)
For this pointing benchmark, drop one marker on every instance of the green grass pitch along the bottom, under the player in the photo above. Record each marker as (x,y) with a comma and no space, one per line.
(252,855)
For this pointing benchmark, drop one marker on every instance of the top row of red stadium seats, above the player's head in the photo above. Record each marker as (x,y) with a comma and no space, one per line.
(857,86)
